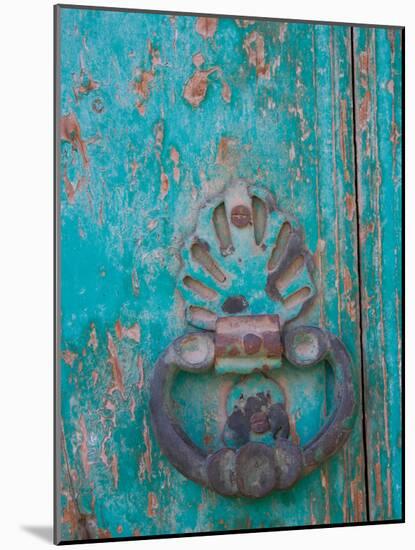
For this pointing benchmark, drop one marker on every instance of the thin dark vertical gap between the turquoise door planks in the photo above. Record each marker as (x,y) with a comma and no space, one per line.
(362,362)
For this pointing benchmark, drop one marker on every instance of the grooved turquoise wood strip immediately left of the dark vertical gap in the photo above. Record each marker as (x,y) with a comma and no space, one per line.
(338,244)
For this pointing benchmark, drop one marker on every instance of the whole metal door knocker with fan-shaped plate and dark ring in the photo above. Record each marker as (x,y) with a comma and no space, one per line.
(246,274)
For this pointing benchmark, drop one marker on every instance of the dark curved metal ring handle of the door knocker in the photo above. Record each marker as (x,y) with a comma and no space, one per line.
(255,469)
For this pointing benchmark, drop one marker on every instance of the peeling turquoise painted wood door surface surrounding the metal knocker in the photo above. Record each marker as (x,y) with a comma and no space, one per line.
(159,113)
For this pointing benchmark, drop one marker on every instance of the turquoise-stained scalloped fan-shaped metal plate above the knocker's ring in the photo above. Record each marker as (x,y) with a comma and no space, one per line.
(246,257)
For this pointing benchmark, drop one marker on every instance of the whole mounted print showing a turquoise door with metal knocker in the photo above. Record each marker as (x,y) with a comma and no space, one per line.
(228,274)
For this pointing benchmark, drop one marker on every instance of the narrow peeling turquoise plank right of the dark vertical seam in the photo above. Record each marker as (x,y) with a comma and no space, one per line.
(378,90)
